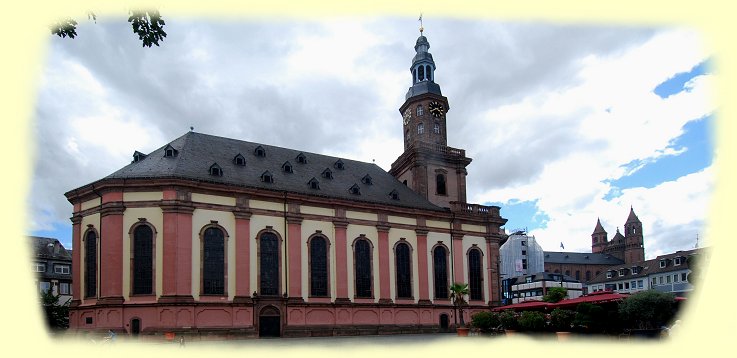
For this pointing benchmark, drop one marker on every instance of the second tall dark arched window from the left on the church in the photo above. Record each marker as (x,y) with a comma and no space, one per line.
(143,260)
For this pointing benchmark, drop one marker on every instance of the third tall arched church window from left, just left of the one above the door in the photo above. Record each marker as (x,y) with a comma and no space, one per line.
(213,262)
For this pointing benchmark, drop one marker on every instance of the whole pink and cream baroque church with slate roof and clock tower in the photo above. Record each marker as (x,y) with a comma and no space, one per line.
(217,236)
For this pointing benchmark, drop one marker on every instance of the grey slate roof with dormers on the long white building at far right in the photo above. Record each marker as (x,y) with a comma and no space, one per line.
(647,267)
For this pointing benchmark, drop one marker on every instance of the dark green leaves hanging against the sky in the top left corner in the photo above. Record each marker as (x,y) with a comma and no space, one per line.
(147,24)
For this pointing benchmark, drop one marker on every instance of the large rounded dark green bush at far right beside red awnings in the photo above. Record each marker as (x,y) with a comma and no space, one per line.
(648,309)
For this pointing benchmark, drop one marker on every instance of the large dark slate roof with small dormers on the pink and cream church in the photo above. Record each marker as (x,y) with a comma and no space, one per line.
(195,154)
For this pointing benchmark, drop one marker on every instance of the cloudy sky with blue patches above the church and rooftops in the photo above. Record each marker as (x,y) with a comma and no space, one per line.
(565,123)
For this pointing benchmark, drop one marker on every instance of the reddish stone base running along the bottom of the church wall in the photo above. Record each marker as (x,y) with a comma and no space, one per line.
(260,317)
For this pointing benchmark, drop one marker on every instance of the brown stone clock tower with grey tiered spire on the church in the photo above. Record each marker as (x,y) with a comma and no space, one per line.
(428,166)
